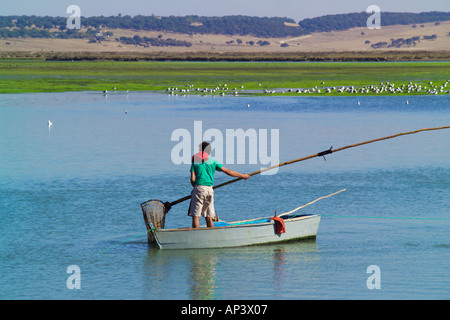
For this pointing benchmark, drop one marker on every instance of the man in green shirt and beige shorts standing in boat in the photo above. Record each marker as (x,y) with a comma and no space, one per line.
(202,179)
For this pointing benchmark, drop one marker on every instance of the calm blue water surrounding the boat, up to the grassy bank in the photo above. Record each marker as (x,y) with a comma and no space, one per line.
(70,195)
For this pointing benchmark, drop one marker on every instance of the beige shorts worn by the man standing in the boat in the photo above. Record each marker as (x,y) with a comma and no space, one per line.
(202,202)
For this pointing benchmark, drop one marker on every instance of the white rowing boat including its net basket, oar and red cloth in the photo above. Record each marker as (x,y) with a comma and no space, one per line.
(288,226)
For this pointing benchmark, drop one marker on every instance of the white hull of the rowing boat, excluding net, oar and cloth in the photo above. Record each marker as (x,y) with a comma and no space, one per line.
(237,234)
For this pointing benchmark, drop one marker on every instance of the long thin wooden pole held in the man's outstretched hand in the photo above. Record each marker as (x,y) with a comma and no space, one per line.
(320,154)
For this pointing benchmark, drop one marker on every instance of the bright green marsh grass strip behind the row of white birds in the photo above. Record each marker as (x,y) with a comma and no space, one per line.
(59,76)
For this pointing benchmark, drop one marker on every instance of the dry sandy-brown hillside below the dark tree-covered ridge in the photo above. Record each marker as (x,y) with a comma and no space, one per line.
(356,39)
